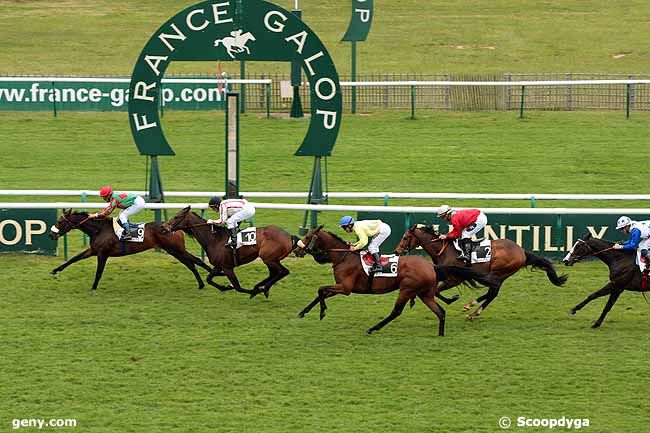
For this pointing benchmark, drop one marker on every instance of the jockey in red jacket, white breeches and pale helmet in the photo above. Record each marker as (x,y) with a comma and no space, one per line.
(467,223)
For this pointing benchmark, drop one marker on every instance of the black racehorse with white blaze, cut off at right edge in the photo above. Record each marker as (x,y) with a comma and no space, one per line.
(624,274)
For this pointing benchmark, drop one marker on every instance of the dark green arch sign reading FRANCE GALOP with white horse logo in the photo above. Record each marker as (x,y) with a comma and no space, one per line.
(250,30)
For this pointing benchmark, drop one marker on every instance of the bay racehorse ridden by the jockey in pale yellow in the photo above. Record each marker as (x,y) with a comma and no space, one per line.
(416,276)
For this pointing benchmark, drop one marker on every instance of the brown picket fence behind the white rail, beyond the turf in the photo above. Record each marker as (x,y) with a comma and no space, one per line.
(470,98)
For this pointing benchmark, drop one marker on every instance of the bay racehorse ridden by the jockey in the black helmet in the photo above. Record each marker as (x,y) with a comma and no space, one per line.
(273,245)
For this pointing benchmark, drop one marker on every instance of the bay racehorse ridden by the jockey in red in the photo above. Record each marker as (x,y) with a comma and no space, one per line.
(507,259)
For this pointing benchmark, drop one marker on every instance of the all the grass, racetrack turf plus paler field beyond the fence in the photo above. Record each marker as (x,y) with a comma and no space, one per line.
(149,353)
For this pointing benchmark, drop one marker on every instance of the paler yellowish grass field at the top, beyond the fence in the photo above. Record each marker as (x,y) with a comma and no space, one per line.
(467,36)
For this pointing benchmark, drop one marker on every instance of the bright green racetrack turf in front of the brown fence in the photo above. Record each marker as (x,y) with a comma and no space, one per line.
(150,353)
